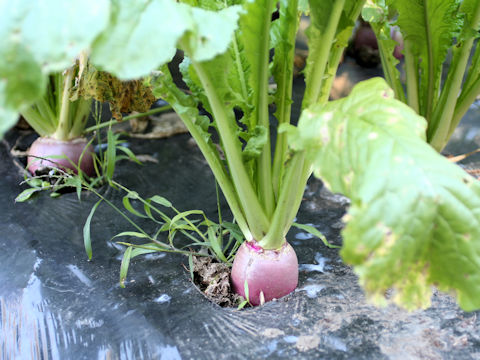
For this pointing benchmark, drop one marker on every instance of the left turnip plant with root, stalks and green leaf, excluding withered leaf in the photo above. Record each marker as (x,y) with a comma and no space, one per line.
(37,71)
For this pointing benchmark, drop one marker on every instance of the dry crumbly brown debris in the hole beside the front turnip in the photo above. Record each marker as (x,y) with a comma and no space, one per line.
(213,279)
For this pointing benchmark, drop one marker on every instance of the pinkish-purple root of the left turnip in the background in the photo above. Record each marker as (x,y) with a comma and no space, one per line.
(45,147)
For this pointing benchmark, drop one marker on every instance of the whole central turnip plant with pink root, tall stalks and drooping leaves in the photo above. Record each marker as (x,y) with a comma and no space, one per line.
(413,218)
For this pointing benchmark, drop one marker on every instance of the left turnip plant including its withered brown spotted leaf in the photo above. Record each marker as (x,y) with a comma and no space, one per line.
(46,77)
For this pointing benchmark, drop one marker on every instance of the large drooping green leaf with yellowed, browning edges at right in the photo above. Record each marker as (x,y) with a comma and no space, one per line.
(414,218)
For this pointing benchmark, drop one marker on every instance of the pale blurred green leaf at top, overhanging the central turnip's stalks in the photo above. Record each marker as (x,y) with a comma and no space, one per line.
(144,35)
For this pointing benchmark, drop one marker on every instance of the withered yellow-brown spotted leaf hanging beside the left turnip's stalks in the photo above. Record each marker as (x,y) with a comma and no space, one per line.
(123,96)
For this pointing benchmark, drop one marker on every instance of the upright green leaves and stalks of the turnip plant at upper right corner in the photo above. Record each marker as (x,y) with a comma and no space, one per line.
(442,60)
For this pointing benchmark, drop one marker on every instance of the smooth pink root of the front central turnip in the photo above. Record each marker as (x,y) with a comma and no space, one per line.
(270,274)
